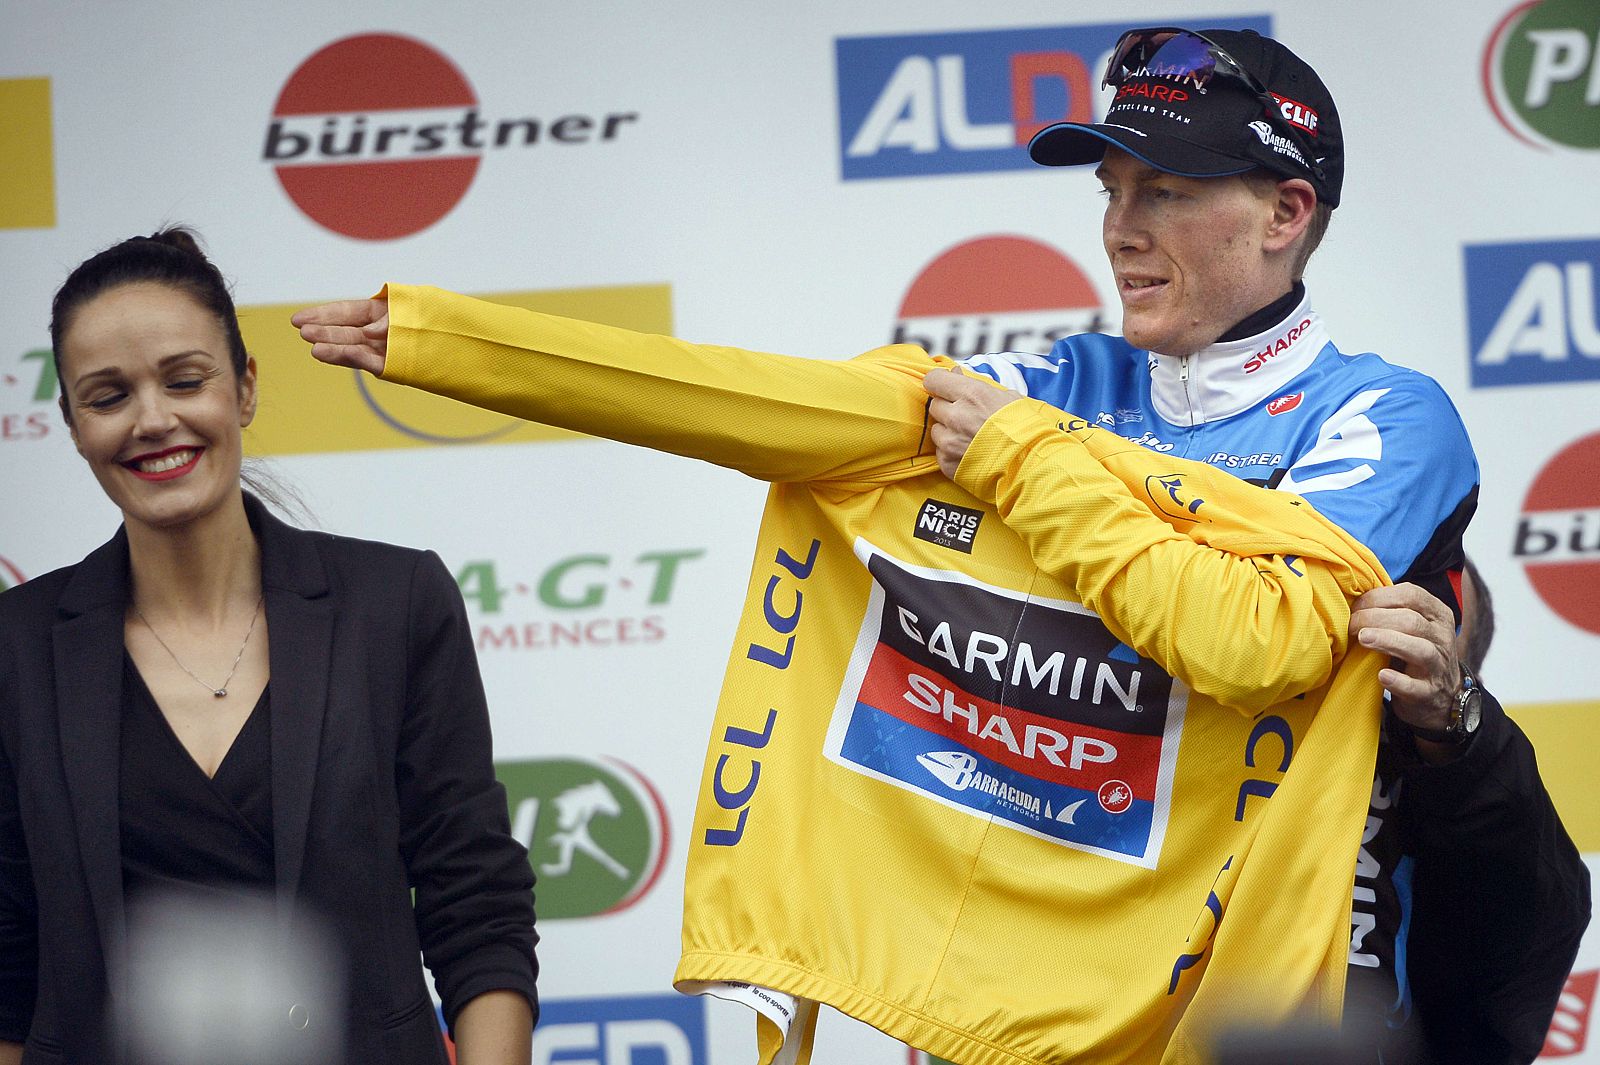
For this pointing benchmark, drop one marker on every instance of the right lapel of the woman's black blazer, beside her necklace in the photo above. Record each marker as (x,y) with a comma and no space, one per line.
(300,626)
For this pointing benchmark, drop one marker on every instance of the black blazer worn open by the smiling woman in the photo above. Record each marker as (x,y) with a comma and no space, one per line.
(382,784)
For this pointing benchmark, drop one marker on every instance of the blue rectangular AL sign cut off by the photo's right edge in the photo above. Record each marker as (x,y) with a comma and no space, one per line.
(1532,313)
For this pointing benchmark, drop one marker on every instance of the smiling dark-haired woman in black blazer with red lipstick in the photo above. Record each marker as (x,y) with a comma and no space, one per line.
(215,706)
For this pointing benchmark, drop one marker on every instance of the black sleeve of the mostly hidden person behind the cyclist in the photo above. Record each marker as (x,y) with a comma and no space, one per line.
(1502,898)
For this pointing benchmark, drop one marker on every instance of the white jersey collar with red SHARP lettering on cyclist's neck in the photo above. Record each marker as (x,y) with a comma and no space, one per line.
(1234,377)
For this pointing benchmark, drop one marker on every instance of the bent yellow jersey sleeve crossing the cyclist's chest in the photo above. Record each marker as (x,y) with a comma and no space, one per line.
(1250,612)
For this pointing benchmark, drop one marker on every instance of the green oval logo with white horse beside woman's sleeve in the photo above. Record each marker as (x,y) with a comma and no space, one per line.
(596,832)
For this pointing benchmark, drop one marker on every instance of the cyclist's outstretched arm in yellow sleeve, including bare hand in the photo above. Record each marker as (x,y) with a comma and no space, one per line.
(772,417)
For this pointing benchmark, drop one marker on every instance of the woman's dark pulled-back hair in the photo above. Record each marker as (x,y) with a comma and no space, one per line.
(172,258)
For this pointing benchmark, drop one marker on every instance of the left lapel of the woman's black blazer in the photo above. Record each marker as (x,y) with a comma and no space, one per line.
(89,648)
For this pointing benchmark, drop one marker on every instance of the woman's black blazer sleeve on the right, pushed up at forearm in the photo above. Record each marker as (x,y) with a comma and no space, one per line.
(474,885)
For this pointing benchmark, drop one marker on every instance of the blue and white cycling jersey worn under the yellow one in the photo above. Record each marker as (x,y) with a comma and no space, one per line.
(1377,449)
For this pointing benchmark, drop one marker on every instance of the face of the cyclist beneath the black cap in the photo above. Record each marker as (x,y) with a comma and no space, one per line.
(1186,252)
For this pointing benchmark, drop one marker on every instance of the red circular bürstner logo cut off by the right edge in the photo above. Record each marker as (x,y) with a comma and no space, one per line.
(1559,533)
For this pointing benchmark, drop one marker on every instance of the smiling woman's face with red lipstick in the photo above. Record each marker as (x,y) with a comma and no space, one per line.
(156,405)
